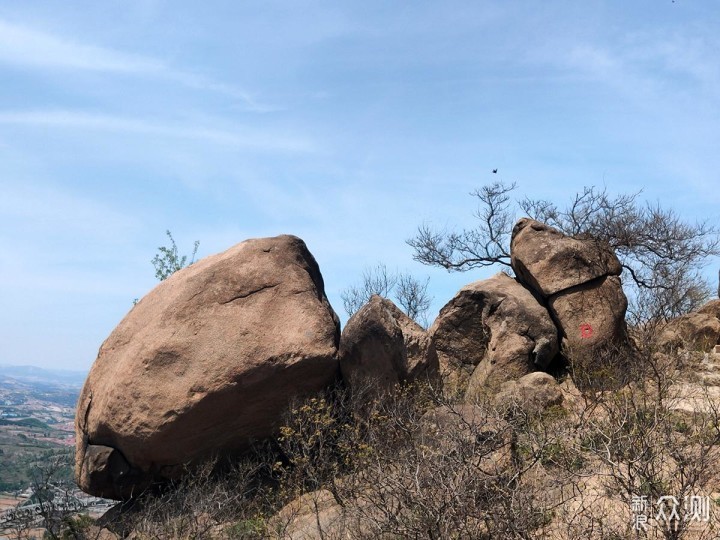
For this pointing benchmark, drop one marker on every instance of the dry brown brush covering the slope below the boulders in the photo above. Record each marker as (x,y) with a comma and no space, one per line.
(411,463)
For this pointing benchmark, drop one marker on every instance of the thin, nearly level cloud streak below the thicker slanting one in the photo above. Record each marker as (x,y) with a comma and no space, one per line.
(242,137)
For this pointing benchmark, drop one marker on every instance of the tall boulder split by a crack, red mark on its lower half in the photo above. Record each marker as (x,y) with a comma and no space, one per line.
(579,281)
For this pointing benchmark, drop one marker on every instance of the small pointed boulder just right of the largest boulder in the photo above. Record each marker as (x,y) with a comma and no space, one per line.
(381,346)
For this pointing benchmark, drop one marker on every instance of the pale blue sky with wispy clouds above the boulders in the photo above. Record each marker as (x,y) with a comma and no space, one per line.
(345,123)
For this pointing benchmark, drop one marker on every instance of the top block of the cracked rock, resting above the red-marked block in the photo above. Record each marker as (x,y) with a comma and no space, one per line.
(548,261)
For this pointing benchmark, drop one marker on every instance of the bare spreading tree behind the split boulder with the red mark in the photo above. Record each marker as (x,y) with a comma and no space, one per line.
(660,251)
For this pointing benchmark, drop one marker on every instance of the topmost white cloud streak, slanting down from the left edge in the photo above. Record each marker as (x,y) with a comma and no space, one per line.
(28,47)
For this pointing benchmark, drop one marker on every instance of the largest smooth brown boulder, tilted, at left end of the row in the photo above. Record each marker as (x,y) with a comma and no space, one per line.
(204,364)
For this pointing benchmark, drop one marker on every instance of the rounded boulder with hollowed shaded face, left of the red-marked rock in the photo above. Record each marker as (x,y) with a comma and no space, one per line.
(492,330)
